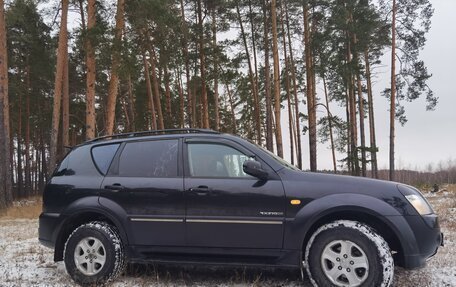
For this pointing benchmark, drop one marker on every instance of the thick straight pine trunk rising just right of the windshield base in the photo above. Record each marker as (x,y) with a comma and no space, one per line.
(311,108)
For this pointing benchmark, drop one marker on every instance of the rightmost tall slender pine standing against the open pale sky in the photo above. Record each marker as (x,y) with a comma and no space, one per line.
(410,21)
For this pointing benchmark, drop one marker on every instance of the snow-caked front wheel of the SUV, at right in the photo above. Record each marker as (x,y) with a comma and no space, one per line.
(348,253)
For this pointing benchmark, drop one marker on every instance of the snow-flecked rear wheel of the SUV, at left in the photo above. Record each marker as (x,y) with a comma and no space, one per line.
(94,254)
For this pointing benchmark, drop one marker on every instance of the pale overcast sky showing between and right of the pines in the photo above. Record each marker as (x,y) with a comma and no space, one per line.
(428,136)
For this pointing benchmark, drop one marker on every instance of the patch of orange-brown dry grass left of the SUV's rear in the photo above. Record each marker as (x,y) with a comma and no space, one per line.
(27,209)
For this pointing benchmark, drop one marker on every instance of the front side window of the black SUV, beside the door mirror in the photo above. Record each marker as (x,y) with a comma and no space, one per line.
(215,160)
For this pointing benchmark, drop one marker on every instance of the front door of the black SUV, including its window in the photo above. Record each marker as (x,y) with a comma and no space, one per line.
(225,206)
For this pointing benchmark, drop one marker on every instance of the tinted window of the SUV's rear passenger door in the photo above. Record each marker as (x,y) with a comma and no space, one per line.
(149,159)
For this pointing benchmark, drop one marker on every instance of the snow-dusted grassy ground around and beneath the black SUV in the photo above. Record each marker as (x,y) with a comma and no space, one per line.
(24,262)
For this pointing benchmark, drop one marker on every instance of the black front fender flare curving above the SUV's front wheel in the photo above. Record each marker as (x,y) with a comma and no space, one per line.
(296,229)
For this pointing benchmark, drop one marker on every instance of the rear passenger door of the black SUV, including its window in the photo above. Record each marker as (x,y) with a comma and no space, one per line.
(146,181)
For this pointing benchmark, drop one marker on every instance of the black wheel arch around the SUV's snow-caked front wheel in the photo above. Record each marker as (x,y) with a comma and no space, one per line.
(372,211)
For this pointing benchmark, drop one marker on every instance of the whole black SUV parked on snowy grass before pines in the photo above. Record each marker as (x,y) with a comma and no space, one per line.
(198,196)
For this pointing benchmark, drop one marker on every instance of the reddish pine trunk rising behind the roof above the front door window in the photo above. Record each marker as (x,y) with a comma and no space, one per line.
(204,103)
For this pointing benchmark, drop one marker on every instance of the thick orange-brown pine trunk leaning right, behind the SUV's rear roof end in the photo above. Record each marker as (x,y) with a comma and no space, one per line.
(114,81)
